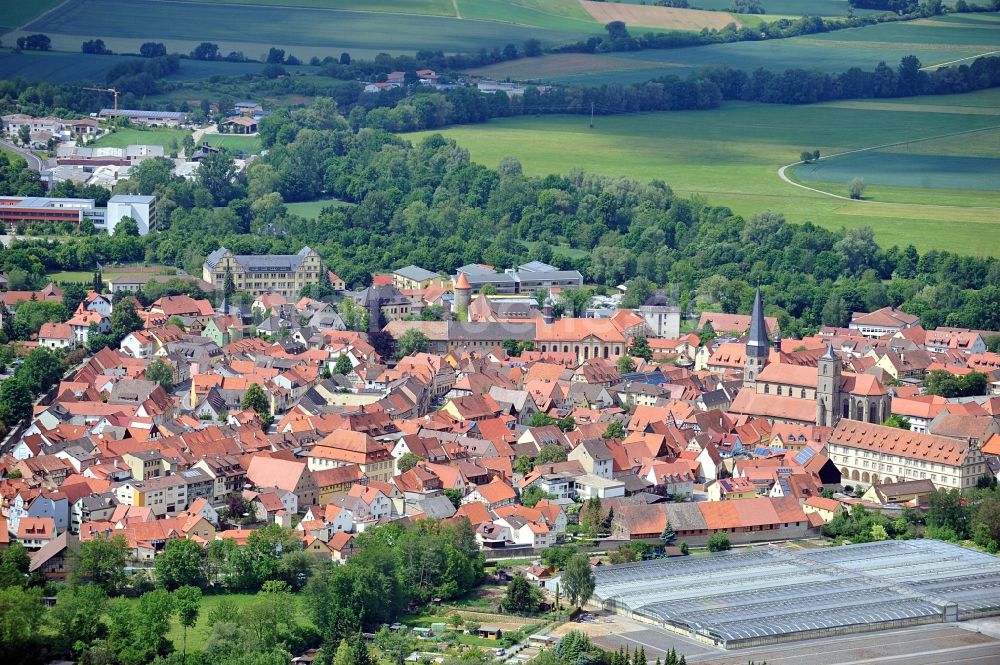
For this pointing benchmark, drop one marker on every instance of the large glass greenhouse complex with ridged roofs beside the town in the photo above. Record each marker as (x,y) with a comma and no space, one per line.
(771,594)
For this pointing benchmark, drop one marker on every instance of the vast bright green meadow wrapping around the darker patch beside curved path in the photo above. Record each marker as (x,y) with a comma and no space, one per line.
(731,157)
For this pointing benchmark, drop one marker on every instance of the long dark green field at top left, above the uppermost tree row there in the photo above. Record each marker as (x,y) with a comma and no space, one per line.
(303,31)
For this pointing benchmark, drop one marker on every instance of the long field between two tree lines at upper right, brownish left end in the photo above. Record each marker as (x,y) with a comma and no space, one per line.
(942,40)
